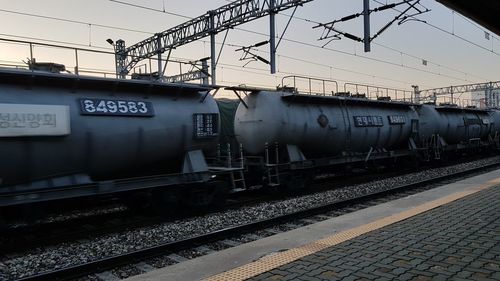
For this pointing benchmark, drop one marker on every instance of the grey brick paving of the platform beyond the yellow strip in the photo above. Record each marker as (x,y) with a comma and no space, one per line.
(457,241)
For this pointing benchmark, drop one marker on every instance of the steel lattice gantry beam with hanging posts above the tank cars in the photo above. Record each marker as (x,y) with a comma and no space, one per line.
(209,24)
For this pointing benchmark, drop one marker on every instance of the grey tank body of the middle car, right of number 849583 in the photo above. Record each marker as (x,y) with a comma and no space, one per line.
(321,126)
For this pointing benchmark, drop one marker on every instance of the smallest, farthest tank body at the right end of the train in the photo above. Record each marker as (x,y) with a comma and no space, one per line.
(453,124)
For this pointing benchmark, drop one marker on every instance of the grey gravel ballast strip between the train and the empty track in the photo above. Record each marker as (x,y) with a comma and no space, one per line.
(77,252)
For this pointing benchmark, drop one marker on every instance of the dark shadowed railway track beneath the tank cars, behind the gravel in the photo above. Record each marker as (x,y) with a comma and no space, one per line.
(46,234)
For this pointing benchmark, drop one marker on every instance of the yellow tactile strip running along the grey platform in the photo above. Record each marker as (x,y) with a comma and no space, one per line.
(278,259)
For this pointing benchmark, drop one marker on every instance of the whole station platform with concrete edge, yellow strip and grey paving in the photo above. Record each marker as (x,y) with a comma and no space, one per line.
(412,238)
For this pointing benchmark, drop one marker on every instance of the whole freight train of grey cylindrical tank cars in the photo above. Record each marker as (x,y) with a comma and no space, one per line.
(68,136)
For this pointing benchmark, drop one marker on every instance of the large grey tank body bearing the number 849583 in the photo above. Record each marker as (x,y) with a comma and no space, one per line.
(57,125)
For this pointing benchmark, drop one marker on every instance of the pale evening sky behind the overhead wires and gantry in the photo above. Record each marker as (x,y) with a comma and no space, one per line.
(450,59)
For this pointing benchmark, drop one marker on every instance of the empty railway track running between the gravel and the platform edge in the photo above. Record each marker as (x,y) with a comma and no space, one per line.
(337,208)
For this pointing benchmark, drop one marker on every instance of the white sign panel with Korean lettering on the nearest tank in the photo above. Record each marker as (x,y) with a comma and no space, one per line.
(18,120)
